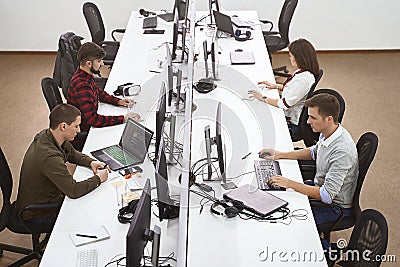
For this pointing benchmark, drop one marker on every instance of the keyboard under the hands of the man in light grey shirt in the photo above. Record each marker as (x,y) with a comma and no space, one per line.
(264,170)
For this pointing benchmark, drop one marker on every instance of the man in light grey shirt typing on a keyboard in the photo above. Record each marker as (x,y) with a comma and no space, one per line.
(336,161)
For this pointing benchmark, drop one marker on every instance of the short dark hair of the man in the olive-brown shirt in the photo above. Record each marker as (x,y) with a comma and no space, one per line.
(63,113)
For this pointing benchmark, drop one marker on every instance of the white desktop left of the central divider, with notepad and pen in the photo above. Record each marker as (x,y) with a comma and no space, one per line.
(134,60)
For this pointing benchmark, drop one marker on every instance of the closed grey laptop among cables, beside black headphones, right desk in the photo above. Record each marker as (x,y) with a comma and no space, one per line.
(260,202)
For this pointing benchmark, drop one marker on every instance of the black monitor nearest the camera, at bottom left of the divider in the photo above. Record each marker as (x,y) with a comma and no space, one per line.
(136,239)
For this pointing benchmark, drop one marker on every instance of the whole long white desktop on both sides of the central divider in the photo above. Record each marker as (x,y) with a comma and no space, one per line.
(212,241)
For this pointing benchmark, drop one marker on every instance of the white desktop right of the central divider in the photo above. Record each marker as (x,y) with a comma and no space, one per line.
(248,126)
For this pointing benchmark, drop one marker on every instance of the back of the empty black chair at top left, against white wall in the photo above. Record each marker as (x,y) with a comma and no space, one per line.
(94,21)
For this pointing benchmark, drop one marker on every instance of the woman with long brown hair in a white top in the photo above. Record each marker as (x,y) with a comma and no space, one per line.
(294,90)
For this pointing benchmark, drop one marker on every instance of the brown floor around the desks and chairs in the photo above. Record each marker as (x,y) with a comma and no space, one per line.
(368,81)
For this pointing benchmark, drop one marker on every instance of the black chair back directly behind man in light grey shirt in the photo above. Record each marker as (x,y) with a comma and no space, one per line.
(366,150)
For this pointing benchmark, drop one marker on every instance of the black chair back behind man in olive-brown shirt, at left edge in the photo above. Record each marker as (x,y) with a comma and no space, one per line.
(6,188)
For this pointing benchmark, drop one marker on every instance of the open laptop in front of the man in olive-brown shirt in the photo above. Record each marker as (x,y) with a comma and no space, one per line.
(131,150)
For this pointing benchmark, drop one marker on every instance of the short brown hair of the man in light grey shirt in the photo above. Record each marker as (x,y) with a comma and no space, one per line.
(328,105)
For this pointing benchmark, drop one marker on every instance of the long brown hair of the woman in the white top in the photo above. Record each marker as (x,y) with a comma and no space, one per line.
(305,55)
